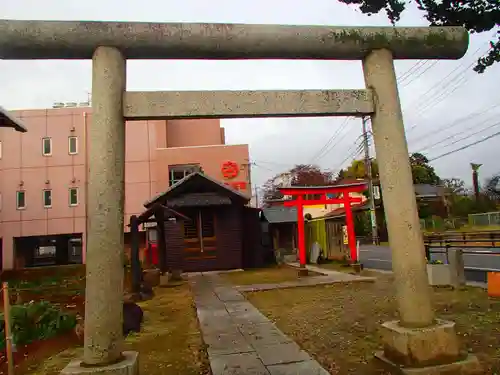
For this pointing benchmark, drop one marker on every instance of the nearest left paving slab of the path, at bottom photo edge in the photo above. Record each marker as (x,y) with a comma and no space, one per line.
(238,364)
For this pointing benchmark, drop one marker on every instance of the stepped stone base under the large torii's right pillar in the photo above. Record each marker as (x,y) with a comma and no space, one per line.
(432,350)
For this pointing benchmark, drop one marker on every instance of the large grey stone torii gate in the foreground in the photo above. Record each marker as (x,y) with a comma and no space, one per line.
(110,44)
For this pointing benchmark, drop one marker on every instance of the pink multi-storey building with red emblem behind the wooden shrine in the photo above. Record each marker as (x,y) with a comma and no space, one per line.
(43,177)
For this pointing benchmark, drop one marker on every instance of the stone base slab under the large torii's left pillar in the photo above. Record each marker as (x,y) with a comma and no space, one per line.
(128,366)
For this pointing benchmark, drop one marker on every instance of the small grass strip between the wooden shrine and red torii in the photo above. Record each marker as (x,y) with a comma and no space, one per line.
(269,275)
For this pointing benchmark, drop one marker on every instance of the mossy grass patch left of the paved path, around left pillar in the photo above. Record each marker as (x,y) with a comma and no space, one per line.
(169,344)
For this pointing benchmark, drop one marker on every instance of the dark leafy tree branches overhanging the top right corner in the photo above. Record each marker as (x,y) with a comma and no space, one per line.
(476,16)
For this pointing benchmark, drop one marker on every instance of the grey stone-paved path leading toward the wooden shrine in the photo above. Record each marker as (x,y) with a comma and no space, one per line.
(240,339)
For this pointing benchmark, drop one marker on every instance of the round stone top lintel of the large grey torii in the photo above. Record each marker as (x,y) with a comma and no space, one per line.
(25,40)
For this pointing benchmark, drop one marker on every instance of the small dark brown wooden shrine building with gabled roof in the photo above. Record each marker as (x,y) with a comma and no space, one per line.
(214,229)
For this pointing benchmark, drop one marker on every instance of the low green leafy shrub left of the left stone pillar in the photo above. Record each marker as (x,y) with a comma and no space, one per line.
(36,321)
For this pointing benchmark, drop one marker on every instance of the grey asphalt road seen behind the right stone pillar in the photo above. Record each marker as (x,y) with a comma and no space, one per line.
(476,265)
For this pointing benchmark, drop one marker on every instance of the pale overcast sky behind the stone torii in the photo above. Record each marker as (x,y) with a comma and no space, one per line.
(446,105)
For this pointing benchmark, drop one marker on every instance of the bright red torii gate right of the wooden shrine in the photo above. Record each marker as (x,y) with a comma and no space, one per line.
(300,202)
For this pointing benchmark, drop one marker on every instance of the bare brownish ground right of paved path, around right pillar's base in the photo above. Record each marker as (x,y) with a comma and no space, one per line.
(338,324)
